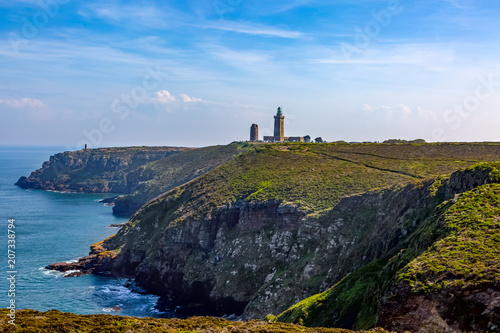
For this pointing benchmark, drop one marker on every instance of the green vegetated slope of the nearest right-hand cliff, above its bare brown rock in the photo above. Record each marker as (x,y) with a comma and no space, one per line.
(456,248)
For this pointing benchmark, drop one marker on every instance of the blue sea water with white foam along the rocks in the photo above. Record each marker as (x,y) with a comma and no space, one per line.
(53,227)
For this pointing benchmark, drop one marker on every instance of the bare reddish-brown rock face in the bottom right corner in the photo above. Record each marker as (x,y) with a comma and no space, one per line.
(471,309)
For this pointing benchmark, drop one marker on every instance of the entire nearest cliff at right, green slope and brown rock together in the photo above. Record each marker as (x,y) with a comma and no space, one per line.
(442,278)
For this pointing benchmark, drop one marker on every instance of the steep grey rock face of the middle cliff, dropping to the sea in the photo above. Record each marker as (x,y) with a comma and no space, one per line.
(252,259)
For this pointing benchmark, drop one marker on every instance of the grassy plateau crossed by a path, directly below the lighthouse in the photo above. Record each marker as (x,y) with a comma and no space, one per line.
(317,176)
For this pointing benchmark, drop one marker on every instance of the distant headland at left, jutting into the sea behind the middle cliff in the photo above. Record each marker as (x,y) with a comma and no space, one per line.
(138,173)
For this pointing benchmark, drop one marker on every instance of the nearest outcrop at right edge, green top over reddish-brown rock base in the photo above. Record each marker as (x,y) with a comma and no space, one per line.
(454,285)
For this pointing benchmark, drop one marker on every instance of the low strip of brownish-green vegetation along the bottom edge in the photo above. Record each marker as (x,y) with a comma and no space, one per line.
(56,321)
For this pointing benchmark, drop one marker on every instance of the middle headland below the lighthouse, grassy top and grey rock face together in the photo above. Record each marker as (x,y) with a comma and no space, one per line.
(280,223)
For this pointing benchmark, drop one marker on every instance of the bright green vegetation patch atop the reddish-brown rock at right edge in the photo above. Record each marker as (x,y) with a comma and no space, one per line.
(469,254)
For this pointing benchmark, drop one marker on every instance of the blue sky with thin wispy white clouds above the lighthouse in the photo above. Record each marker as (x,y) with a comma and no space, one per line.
(199,73)
